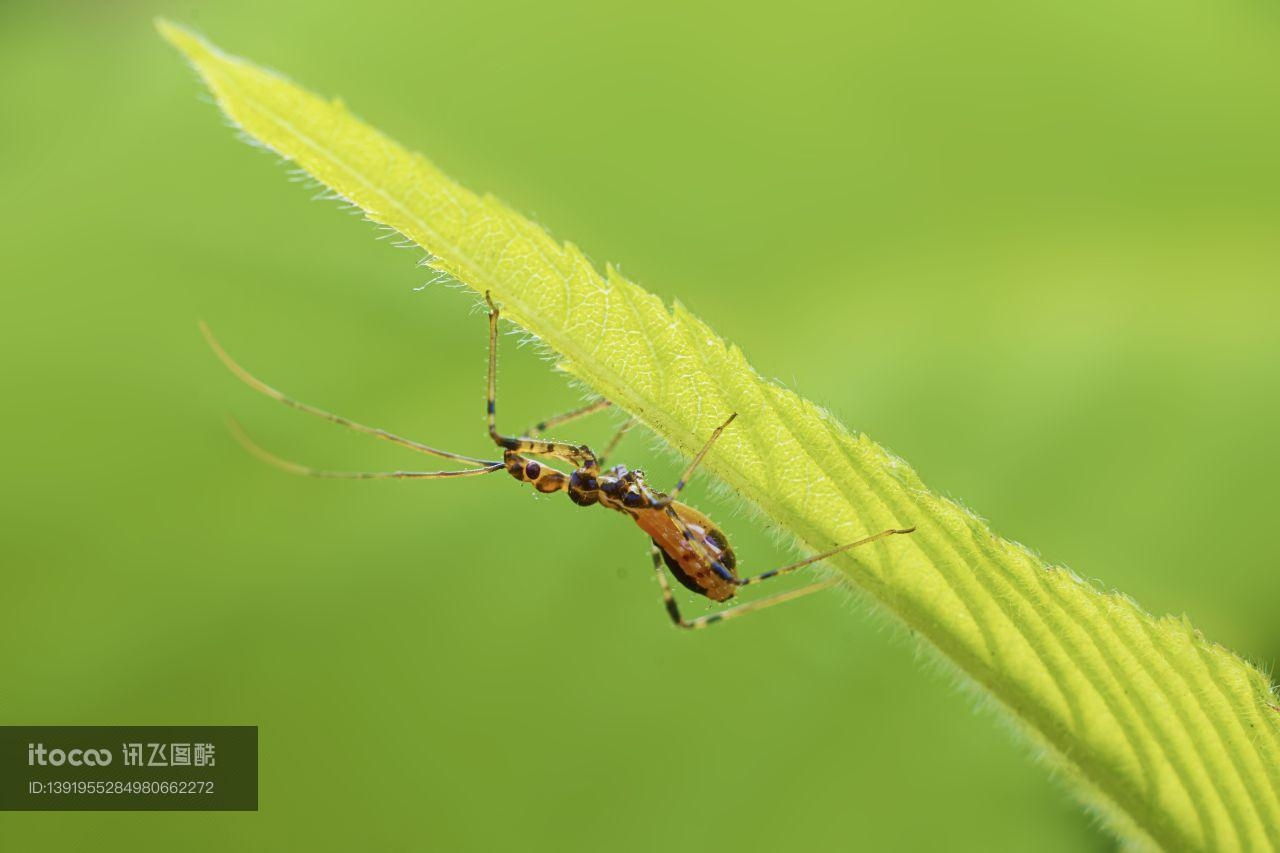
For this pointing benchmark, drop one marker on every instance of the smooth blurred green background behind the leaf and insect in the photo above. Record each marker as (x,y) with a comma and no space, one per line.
(1030,248)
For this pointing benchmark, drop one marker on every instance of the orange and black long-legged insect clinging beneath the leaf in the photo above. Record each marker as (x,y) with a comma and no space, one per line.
(682,539)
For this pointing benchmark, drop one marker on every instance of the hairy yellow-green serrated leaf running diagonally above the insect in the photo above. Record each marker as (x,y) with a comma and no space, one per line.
(1174,740)
